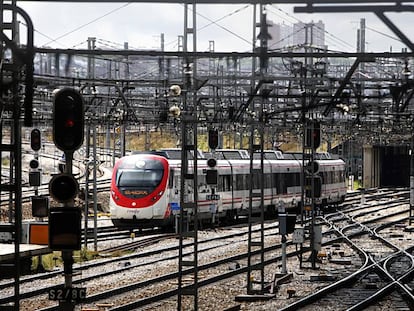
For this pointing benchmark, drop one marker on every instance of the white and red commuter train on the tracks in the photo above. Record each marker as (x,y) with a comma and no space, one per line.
(145,187)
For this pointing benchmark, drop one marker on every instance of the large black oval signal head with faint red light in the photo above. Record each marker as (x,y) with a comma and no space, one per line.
(68,120)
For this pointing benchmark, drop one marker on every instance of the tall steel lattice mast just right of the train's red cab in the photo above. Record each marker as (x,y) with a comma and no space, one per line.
(188,239)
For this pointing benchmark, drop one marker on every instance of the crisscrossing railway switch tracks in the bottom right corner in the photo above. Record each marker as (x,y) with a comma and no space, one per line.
(385,273)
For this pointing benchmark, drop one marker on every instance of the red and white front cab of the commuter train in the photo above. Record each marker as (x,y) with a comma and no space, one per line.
(139,191)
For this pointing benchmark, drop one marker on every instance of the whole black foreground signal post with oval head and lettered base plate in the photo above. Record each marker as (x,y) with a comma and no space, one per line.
(65,220)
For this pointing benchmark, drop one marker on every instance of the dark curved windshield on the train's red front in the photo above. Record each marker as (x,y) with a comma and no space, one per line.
(140,181)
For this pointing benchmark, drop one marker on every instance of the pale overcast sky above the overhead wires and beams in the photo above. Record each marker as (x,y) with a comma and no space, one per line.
(68,25)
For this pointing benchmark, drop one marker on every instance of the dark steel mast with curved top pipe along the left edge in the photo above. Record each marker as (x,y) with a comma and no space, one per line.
(15,71)
